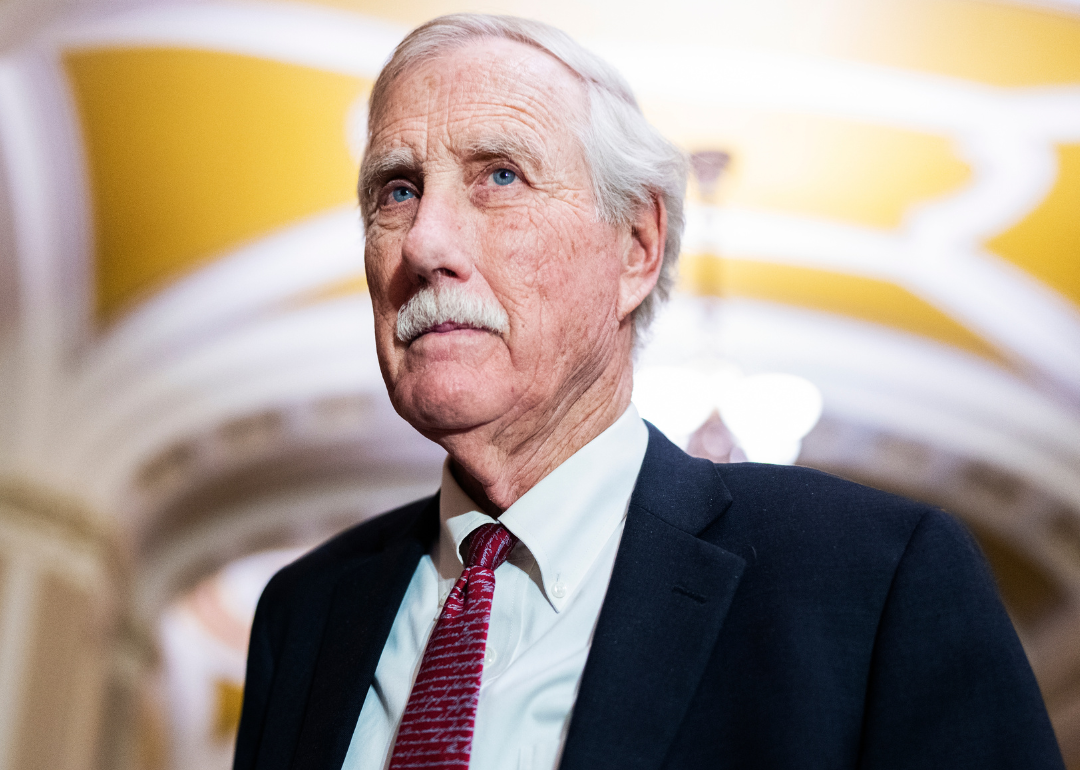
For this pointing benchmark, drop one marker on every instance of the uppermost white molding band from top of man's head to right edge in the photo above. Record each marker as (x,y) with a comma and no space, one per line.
(869,93)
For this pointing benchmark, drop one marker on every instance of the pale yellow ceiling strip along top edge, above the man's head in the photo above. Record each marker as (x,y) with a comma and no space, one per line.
(988,42)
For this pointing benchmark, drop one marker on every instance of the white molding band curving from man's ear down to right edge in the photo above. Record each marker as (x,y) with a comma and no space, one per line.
(989,295)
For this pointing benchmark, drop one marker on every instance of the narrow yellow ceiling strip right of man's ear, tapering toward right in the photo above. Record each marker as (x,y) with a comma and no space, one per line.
(868,300)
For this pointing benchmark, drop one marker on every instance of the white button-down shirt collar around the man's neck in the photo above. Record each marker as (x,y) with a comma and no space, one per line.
(566,519)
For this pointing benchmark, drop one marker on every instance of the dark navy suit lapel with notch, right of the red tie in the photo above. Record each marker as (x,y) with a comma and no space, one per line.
(669,595)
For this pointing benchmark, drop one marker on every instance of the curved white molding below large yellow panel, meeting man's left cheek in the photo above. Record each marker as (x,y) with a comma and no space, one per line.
(317,353)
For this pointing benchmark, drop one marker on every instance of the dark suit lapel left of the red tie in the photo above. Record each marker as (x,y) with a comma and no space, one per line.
(362,612)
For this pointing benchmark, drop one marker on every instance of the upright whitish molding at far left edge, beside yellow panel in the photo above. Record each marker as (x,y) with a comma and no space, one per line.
(39,139)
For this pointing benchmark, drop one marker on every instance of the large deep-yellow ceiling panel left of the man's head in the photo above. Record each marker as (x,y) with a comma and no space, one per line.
(194,153)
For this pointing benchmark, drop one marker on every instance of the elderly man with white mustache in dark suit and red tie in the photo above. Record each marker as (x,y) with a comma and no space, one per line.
(582,593)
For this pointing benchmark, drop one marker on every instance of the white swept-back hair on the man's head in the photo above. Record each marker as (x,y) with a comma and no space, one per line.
(631,164)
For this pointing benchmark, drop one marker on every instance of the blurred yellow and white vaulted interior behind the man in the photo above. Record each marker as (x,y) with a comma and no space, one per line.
(881,279)
